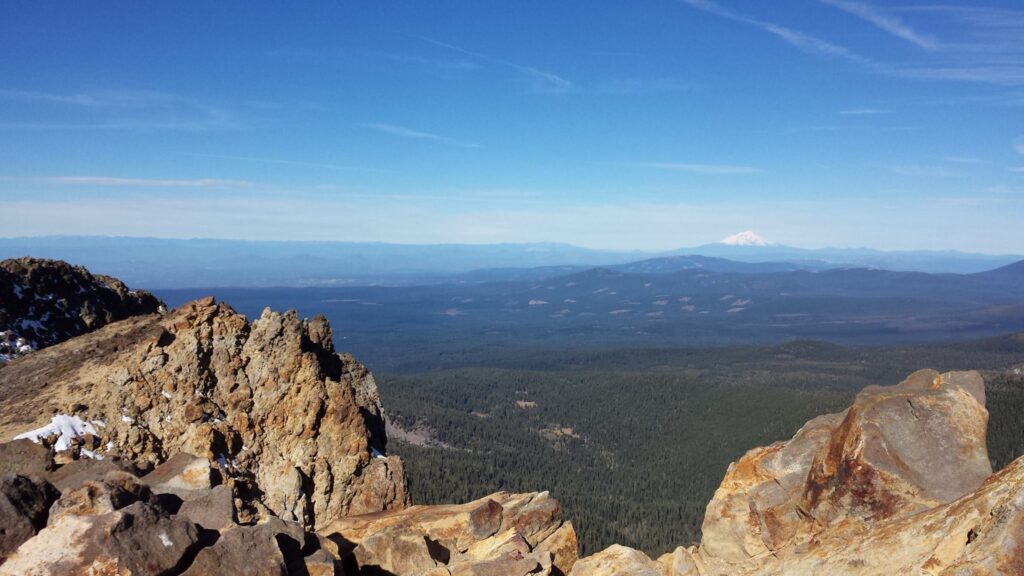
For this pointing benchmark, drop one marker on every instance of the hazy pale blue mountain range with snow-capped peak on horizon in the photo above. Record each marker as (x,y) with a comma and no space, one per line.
(153,263)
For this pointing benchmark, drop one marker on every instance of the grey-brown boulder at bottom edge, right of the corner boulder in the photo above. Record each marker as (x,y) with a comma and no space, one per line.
(266,550)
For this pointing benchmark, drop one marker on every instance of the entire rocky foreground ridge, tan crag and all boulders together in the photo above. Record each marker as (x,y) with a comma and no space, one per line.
(198,442)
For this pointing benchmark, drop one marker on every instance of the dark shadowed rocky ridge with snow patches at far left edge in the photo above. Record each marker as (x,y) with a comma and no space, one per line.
(44,303)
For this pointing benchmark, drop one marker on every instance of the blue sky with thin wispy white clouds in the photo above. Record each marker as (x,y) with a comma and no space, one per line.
(621,125)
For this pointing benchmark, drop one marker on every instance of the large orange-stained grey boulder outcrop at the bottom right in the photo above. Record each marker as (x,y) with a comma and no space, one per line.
(899,484)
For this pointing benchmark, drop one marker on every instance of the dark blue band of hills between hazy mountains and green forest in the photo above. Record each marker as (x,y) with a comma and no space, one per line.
(415,328)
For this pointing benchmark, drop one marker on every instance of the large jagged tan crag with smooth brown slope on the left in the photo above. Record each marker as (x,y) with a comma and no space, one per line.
(292,426)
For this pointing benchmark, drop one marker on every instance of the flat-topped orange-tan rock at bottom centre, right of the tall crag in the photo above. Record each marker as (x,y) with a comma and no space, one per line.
(500,534)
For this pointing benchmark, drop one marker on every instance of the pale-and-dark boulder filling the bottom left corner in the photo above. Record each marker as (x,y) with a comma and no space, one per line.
(136,541)
